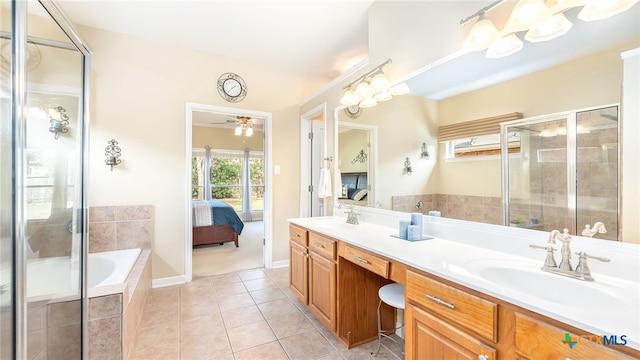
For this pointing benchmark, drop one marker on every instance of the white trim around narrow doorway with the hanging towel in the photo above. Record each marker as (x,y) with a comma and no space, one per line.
(305,154)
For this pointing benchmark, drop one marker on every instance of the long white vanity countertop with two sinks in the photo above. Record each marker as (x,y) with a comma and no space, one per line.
(614,311)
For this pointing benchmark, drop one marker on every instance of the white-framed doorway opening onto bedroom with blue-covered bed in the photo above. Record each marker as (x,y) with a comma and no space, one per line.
(228,154)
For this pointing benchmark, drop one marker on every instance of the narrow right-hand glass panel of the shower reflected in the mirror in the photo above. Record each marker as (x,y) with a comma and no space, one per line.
(597,170)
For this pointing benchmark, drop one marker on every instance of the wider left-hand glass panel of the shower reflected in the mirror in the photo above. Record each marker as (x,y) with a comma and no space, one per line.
(538,178)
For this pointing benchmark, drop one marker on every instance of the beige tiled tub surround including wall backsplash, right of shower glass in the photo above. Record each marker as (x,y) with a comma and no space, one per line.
(114,310)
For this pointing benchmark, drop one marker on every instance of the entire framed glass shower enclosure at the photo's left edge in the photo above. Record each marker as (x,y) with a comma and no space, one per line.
(43,143)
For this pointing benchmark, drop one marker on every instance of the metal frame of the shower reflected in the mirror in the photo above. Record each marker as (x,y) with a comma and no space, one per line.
(572,164)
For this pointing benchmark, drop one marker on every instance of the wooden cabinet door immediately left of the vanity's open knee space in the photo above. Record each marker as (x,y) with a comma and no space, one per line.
(322,289)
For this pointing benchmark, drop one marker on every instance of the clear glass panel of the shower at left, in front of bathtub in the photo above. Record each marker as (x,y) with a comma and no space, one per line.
(53,191)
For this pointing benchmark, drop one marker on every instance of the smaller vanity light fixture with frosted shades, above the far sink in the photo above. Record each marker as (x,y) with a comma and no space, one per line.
(371,88)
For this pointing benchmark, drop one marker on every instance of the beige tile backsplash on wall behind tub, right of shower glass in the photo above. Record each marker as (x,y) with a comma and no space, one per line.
(120,227)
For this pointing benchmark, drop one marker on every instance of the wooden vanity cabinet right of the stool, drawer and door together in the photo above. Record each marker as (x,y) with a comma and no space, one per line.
(444,322)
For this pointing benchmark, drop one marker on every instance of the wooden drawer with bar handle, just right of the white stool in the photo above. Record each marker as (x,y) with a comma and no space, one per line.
(469,311)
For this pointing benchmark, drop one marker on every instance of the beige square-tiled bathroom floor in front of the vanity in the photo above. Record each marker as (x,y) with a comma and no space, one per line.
(250,315)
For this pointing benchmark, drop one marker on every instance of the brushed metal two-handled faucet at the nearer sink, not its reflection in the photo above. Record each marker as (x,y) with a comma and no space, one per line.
(581,272)
